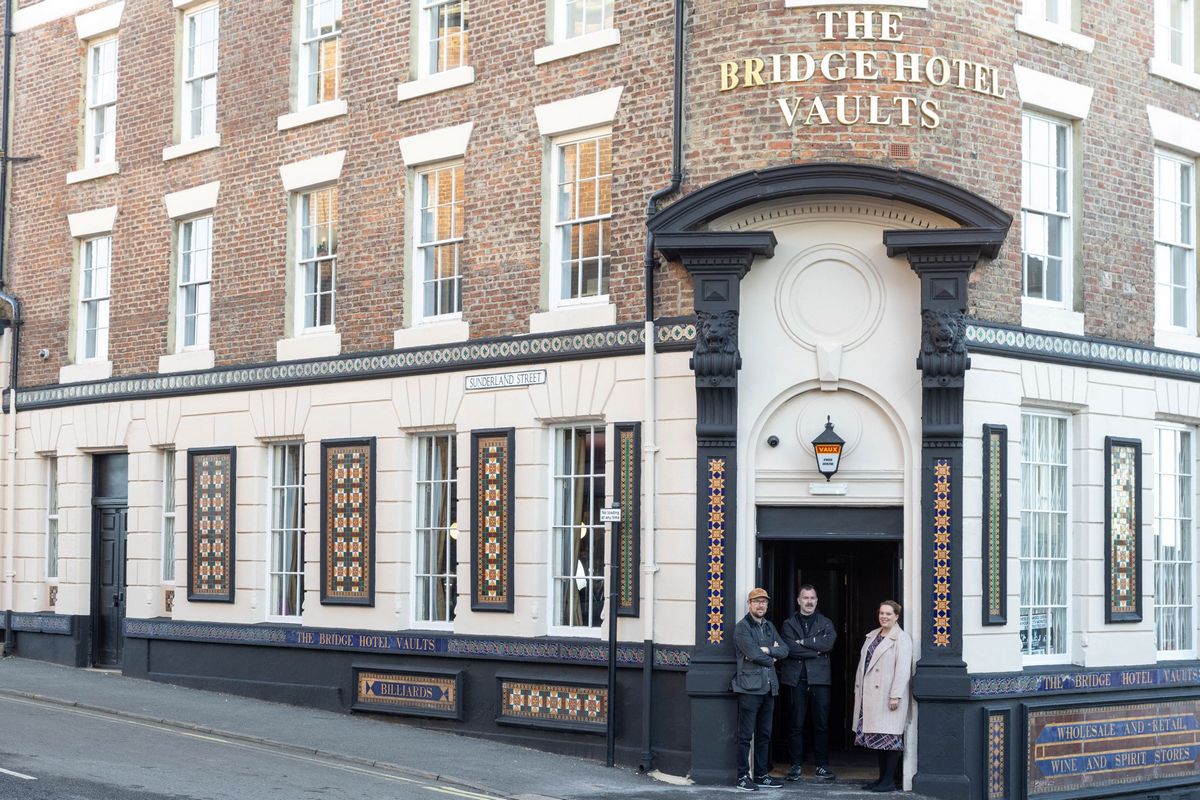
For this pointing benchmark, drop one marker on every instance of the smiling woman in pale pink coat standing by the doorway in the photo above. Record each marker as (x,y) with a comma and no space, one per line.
(881,694)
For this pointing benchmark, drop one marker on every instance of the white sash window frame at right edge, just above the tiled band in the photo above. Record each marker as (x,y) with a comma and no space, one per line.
(1184,197)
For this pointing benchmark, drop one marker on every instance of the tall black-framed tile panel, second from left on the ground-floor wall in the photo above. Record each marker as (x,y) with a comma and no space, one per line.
(347,522)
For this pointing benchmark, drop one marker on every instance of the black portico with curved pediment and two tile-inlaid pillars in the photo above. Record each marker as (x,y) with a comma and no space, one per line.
(943,260)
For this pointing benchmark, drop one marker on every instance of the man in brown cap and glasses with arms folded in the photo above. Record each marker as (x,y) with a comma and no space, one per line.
(759,647)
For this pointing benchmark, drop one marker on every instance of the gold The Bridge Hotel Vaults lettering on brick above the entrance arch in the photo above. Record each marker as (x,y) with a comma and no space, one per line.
(863,47)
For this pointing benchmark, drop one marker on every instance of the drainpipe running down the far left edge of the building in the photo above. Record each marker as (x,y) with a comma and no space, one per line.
(14,324)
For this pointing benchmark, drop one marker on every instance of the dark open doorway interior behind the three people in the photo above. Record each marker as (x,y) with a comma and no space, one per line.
(851,579)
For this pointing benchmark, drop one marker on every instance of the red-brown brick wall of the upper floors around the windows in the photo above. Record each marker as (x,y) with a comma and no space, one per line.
(977,146)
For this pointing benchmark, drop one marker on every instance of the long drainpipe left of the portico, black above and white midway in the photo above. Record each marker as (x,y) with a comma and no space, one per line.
(650,446)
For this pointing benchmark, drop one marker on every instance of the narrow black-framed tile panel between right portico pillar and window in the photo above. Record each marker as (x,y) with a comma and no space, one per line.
(995,525)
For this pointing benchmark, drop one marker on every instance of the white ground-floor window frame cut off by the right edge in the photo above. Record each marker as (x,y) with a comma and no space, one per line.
(1175,516)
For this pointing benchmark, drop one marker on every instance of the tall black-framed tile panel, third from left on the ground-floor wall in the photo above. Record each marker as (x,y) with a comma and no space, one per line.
(491,504)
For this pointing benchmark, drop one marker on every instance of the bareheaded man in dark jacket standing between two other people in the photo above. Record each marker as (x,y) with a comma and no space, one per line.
(809,636)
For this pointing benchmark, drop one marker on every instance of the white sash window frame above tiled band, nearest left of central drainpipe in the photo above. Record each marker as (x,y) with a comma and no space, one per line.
(559,270)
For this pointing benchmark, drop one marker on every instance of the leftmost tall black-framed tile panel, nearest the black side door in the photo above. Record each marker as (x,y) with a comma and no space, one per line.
(212,514)
